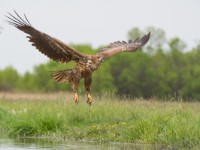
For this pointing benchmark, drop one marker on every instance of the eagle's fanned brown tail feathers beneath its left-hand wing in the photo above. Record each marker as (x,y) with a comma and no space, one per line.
(62,76)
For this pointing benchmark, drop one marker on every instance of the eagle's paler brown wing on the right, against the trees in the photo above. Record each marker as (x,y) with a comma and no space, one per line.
(131,46)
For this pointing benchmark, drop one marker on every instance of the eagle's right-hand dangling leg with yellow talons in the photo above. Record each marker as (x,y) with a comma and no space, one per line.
(87,84)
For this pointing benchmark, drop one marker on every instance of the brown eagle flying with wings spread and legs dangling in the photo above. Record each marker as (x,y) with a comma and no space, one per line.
(63,53)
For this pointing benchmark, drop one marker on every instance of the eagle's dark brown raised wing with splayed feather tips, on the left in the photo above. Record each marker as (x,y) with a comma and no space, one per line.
(50,46)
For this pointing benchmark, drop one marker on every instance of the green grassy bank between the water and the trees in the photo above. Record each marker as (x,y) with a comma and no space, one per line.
(174,124)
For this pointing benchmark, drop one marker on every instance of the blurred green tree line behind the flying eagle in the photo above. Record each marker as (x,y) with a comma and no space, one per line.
(162,69)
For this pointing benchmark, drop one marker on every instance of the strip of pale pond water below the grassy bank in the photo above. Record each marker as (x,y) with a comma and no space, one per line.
(27,144)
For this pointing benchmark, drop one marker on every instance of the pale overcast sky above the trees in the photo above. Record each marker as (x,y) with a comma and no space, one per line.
(96,22)
